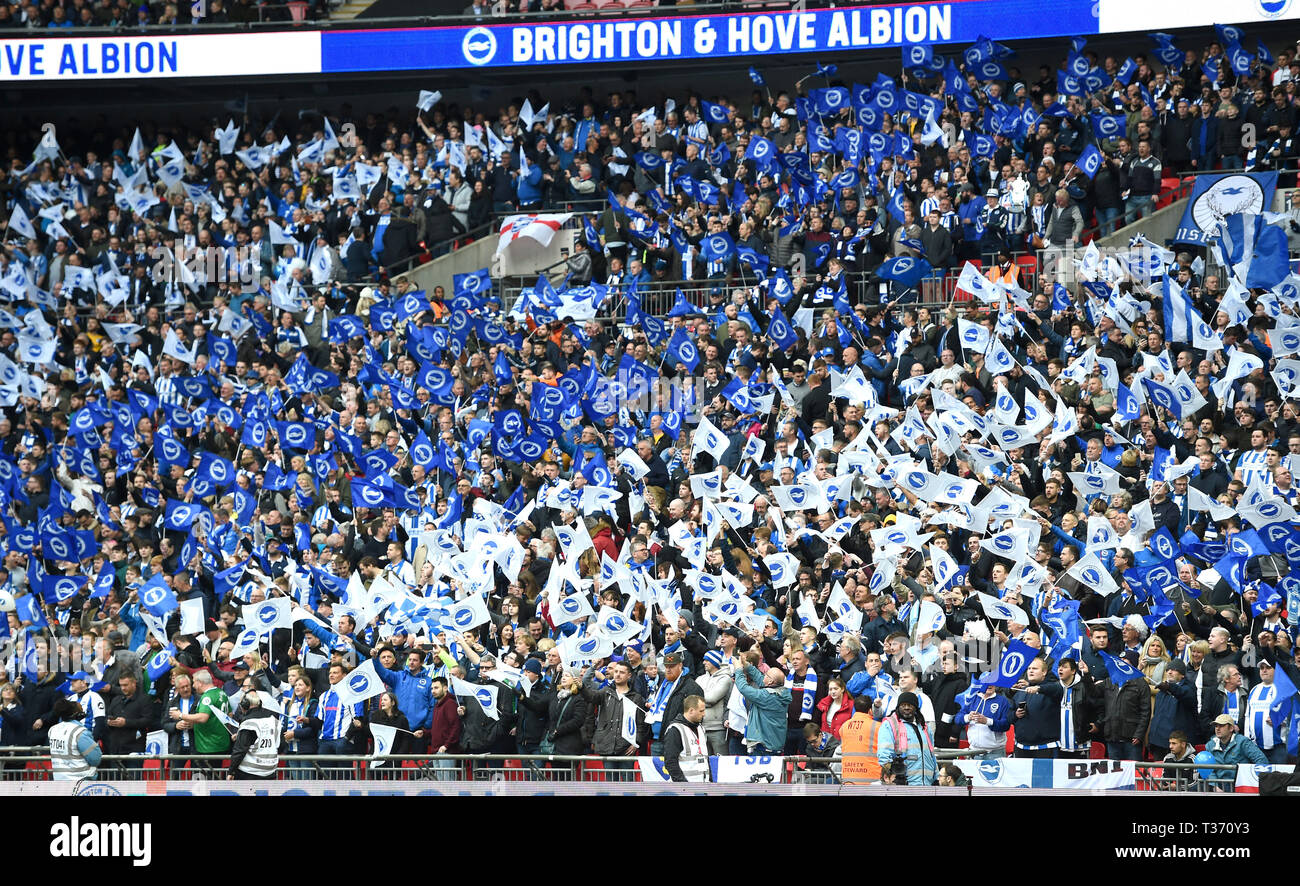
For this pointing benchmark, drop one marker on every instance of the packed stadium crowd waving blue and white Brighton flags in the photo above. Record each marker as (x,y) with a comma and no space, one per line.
(565,525)
